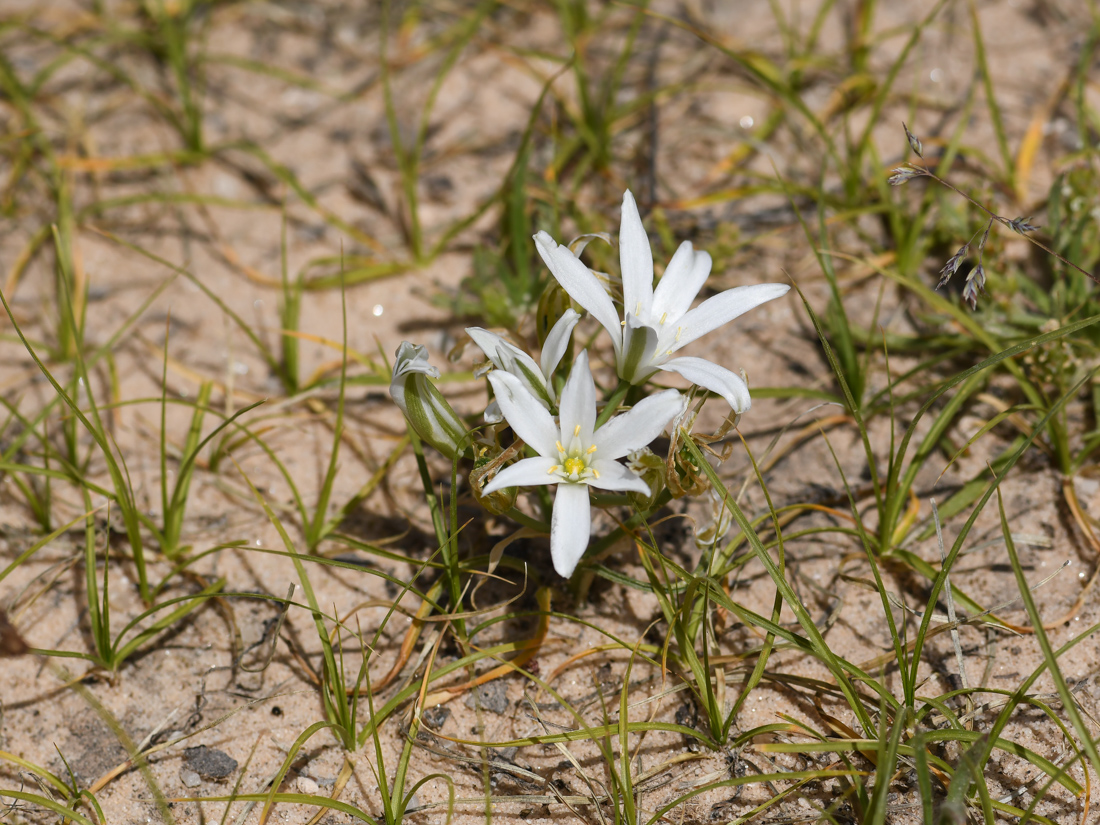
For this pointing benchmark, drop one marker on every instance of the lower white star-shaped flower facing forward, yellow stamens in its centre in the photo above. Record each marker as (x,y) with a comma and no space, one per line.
(575,455)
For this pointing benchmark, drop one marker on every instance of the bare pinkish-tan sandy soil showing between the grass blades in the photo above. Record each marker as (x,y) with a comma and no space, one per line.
(197,680)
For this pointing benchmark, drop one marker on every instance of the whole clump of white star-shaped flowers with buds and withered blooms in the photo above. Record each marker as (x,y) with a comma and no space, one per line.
(563,434)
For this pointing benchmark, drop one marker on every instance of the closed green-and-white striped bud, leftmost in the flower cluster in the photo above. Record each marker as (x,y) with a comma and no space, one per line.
(425,409)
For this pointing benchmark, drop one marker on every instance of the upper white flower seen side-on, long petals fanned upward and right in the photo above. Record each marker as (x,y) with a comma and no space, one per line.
(658,323)
